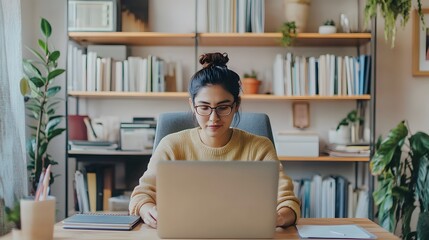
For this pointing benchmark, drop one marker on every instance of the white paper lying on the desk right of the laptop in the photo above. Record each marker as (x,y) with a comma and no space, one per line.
(334,231)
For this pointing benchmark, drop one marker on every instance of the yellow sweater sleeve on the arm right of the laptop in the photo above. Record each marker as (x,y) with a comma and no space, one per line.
(286,196)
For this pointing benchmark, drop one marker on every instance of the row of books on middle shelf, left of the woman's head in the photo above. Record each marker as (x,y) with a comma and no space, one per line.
(92,72)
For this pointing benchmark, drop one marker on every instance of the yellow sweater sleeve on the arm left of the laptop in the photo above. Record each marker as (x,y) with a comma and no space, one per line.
(145,192)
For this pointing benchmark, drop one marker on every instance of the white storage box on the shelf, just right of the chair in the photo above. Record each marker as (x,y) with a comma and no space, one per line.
(297,144)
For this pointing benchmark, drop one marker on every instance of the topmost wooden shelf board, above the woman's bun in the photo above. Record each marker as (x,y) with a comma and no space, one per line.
(219,39)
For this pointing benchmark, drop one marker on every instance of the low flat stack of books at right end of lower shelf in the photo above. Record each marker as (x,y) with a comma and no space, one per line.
(348,150)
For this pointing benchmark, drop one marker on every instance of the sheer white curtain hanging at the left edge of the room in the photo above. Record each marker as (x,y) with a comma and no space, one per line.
(13,174)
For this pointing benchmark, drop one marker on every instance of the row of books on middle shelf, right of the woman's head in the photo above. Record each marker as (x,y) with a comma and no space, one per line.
(326,75)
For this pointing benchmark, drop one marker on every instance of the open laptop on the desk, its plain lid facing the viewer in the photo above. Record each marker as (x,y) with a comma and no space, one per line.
(217,199)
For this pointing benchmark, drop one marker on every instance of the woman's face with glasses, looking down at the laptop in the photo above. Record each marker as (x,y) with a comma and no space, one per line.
(215,126)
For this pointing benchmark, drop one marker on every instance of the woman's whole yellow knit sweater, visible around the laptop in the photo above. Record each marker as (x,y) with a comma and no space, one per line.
(186,145)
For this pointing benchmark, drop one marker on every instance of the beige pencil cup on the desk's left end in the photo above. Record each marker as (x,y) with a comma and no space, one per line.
(37,219)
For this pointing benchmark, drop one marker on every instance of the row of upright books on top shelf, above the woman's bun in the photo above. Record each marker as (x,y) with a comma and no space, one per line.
(235,15)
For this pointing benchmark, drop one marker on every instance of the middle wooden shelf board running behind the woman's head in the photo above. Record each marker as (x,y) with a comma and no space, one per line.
(184,95)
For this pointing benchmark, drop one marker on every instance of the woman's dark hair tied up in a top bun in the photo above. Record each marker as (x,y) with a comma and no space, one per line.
(215,72)
